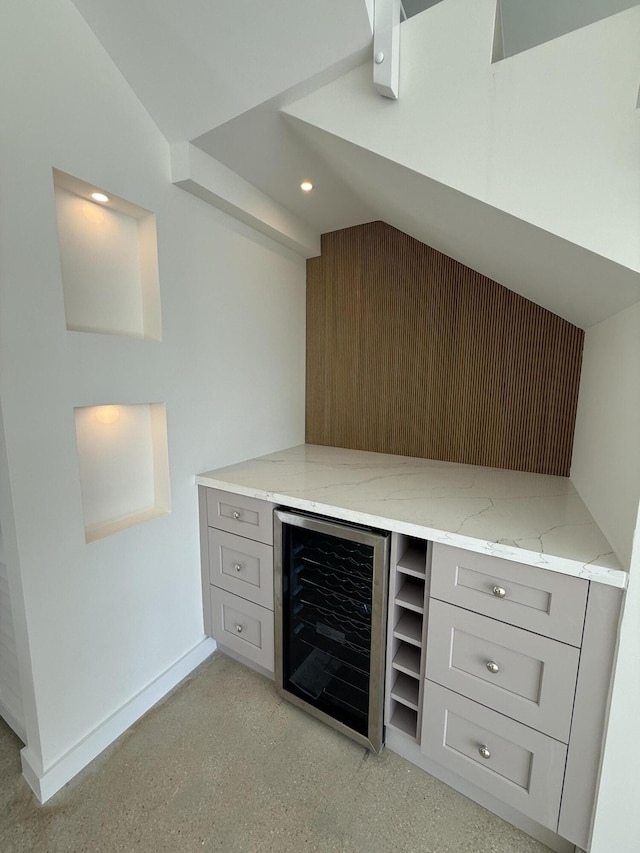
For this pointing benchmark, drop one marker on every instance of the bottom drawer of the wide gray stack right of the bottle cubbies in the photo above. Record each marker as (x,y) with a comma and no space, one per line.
(513,762)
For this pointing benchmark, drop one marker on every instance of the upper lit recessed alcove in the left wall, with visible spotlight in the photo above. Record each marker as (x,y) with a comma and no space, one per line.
(109,261)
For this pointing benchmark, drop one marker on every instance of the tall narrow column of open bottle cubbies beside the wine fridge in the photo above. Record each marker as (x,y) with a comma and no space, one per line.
(407,630)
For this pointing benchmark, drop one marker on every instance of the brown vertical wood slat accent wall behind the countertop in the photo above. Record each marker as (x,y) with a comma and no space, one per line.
(411,352)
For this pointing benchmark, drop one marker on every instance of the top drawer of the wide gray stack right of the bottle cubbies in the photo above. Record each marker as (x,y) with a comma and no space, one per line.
(546,602)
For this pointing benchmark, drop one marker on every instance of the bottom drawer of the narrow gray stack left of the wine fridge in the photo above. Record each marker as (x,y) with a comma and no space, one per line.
(242,626)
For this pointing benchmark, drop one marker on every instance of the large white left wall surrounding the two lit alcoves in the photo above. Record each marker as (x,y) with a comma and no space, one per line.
(102,620)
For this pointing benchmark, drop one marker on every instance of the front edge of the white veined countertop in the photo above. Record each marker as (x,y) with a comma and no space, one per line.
(588,571)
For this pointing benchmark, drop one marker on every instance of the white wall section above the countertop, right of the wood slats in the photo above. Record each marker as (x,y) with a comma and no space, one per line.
(605,467)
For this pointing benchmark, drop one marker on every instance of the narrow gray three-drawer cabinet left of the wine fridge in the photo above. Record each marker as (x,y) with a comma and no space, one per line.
(237,569)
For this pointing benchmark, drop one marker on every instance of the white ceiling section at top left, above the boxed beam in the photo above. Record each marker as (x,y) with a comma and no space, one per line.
(196,64)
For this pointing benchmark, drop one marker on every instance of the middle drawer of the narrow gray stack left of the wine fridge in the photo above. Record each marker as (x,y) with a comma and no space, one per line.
(241,566)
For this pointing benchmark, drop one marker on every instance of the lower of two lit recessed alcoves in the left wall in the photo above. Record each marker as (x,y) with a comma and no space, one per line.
(124,468)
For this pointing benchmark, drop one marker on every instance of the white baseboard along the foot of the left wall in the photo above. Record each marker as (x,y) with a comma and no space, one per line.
(45,783)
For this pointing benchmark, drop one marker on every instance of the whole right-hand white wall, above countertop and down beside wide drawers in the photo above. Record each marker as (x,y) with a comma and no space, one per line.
(606,471)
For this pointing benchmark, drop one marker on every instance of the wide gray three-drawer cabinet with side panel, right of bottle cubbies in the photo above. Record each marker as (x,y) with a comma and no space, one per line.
(517,673)
